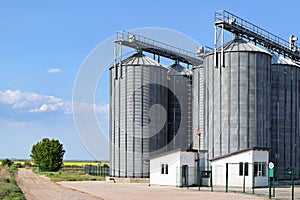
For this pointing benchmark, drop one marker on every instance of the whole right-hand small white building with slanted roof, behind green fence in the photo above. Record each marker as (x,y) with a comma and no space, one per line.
(243,166)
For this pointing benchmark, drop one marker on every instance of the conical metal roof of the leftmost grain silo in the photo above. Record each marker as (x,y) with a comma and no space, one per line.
(140,59)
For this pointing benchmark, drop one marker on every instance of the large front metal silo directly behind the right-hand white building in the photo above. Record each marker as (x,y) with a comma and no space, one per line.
(238,98)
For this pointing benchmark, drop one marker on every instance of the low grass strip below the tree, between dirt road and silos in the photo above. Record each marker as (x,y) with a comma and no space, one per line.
(69,176)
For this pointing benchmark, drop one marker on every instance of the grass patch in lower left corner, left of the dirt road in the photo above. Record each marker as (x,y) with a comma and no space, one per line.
(9,189)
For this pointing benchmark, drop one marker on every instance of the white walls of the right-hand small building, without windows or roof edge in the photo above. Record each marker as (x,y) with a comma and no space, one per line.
(234,179)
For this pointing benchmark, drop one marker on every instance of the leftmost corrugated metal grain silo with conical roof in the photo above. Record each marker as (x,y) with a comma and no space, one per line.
(138,100)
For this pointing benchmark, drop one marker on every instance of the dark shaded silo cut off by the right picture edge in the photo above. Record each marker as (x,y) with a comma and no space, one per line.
(285,132)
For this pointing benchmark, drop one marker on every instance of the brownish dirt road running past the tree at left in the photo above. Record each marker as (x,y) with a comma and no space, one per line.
(39,187)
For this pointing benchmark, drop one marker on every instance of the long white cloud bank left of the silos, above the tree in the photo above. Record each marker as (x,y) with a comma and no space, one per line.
(38,103)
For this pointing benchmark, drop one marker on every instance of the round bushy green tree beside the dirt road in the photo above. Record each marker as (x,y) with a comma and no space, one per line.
(48,154)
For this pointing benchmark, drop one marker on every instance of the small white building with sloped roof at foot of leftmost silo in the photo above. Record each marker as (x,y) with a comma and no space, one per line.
(175,168)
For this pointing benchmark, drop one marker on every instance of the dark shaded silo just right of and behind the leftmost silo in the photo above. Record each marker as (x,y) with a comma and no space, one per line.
(179,107)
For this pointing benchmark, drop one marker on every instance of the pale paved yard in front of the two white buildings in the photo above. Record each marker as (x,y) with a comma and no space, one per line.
(134,191)
